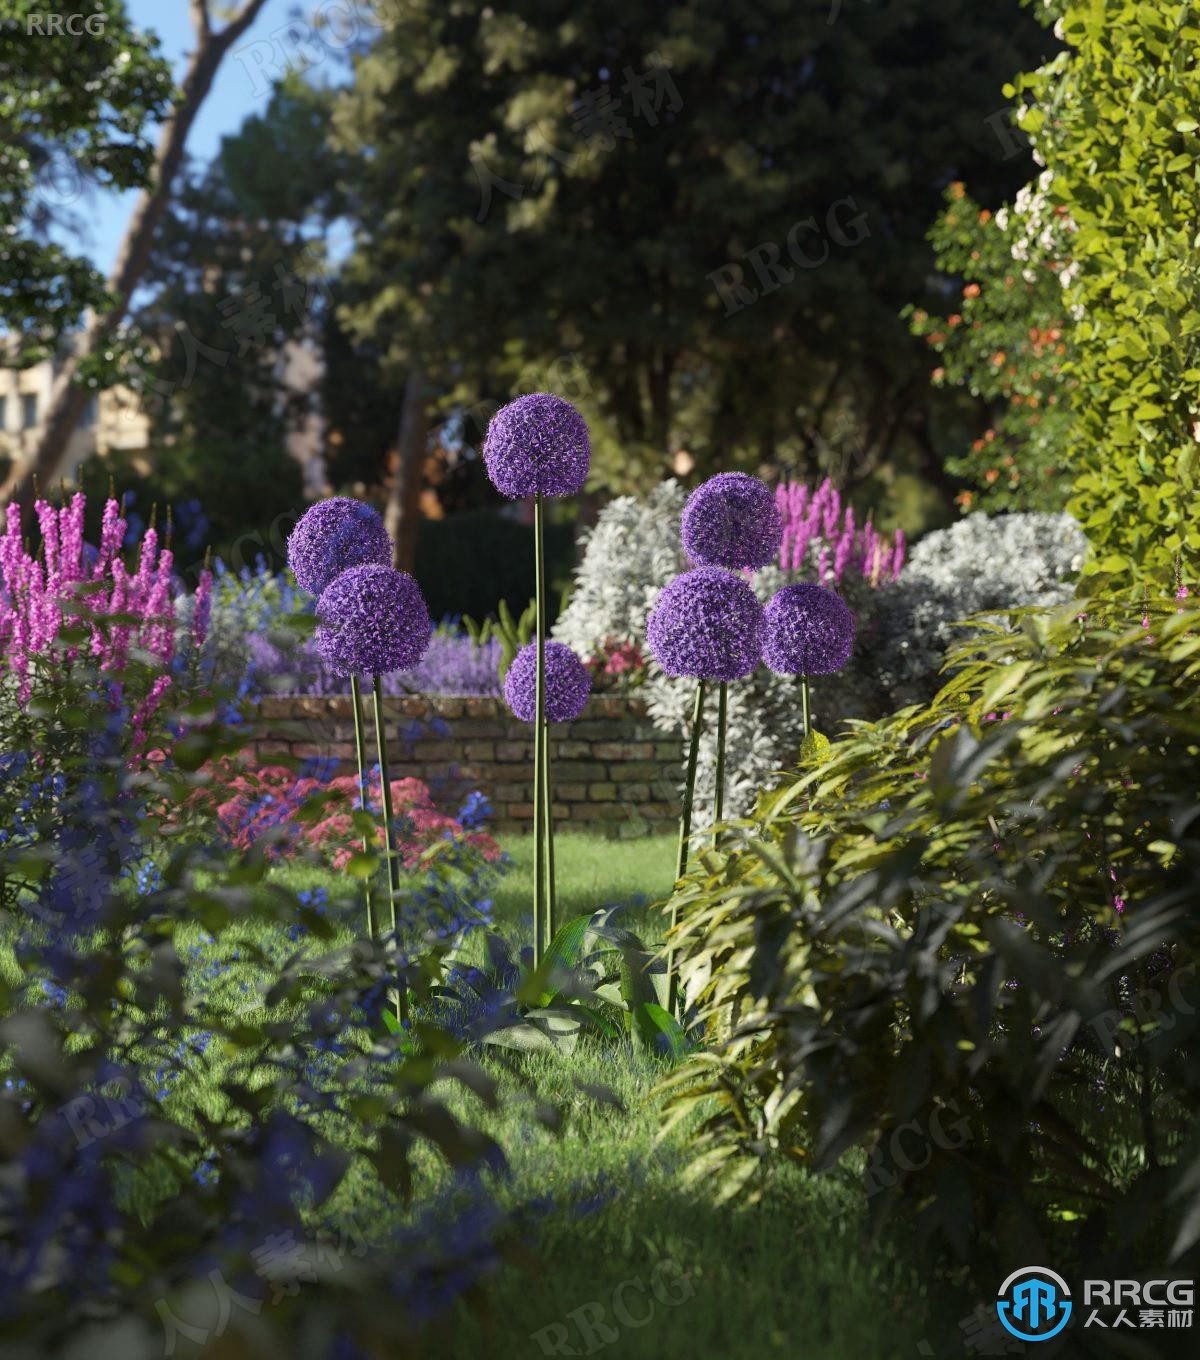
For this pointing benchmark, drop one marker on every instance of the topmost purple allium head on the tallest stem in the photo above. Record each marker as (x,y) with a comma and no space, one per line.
(538,444)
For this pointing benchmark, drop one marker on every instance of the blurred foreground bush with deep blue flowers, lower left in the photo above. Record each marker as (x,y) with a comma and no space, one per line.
(188,1131)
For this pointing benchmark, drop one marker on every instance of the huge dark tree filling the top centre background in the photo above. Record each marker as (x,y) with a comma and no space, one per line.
(714,213)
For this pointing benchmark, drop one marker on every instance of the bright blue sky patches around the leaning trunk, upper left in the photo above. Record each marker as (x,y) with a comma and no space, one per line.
(241,88)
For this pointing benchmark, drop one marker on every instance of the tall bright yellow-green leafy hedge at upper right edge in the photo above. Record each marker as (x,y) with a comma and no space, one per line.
(1115,123)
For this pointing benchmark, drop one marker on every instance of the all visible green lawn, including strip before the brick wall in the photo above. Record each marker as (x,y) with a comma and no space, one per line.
(621,1252)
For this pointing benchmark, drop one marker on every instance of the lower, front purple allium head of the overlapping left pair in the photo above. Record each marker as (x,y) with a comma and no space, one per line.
(372,621)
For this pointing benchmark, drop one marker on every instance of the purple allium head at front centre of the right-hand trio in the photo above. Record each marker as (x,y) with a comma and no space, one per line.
(708,624)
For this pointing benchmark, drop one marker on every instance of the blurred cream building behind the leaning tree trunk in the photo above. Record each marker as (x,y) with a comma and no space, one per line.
(114,420)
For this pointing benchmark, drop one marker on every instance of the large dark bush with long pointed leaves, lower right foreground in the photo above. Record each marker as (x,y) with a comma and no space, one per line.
(968,945)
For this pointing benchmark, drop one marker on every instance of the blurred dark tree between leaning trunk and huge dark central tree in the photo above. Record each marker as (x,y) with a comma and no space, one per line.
(237,284)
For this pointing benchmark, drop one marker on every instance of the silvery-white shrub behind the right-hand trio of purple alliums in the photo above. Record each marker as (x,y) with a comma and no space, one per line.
(905,628)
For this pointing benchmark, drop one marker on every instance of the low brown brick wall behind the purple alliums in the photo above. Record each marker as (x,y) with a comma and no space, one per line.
(614,772)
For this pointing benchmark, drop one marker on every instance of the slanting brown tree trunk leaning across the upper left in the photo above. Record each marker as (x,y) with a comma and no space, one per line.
(67,398)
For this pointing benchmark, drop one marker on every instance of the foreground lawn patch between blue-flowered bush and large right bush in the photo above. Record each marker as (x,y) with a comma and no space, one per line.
(633,1260)
